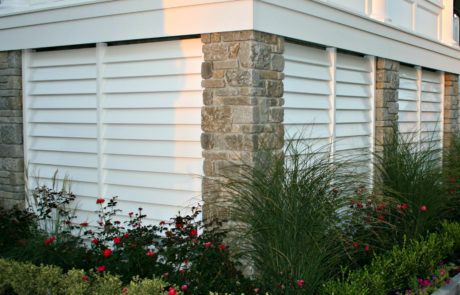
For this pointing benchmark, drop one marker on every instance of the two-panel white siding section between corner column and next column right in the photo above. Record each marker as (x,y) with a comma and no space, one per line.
(328,99)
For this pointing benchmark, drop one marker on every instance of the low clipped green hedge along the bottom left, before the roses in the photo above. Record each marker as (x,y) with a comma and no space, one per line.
(26,278)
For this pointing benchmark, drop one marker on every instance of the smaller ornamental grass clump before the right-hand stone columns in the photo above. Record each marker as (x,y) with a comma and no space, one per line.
(410,175)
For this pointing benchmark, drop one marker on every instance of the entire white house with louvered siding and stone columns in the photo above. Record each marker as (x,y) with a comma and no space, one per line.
(142,98)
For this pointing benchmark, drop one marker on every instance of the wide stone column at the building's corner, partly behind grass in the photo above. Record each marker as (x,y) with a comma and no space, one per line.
(243,107)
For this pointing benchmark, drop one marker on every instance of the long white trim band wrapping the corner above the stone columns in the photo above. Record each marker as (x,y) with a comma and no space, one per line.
(306,20)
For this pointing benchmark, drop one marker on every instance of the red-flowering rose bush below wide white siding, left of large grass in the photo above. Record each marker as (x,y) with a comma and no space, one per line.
(180,250)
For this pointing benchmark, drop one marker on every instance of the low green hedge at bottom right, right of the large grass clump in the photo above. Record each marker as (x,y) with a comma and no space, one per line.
(398,268)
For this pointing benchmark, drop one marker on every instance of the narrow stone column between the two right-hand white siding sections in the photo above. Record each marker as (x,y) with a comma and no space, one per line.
(386,101)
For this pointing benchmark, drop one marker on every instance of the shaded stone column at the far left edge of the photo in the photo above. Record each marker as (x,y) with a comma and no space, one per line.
(12,190)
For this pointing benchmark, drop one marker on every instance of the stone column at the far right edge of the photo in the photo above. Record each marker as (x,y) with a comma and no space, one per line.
(451,107)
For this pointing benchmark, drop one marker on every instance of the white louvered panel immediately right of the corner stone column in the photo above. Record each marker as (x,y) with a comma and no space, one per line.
(306,94)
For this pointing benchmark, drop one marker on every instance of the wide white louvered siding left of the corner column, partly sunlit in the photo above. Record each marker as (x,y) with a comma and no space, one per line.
(125,121)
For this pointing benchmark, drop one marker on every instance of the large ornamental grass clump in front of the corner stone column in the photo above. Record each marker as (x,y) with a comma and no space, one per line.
(287,212)
